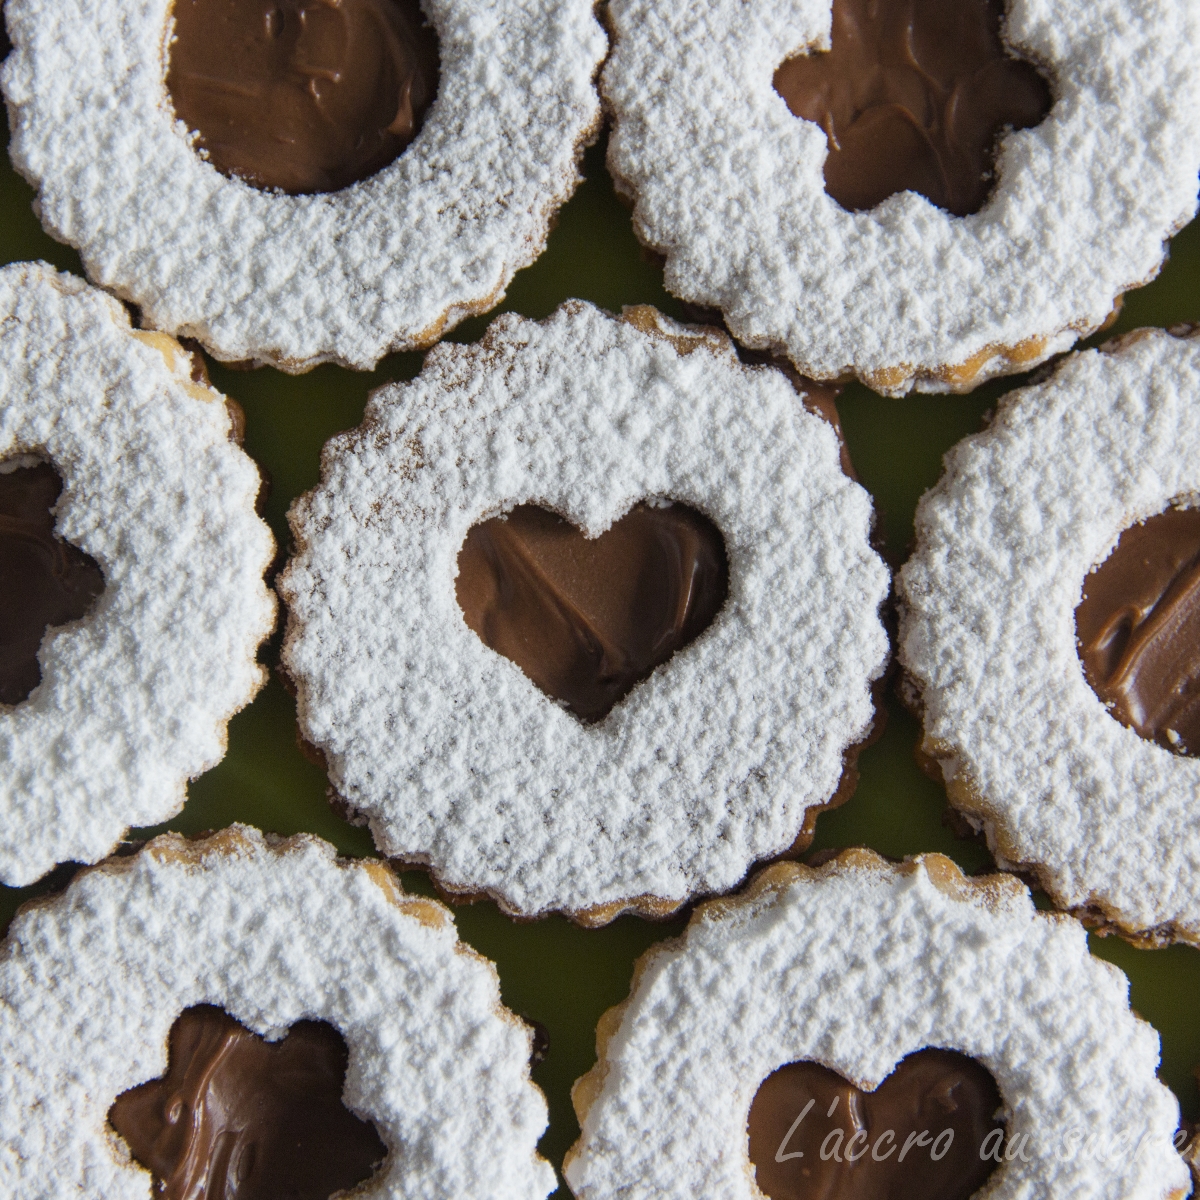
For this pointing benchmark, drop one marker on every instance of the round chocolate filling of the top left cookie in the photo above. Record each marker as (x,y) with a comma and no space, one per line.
(302,95)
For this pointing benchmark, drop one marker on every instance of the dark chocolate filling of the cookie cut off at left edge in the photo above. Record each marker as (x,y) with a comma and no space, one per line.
(44,580)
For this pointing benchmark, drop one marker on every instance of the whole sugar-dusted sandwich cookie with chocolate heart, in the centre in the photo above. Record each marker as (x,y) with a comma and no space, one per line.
(586,616)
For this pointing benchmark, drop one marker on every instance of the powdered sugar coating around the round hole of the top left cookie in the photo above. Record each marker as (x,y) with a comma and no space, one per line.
(386,265)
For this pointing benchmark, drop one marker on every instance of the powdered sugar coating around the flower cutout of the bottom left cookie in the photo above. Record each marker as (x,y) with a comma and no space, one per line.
(91,985)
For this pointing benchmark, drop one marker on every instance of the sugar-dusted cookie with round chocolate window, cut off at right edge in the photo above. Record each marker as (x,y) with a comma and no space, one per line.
(1051,631)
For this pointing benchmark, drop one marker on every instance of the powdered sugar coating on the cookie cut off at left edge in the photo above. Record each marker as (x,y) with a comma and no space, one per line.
(135,698)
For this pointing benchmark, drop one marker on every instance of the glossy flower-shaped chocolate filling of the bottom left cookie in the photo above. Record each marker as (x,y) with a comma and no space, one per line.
(241,1119)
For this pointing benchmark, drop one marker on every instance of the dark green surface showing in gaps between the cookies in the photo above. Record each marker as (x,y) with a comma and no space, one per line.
(553,971)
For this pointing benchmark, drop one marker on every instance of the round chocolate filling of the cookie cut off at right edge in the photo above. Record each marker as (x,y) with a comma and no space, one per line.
(1139,631)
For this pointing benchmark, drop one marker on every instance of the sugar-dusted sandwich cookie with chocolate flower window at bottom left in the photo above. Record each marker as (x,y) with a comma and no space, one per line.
(248,1017)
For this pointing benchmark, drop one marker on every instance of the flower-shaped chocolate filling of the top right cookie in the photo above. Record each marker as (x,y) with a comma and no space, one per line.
(914,95)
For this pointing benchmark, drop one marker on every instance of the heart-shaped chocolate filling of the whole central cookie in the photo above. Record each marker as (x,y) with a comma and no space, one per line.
(589,619)
